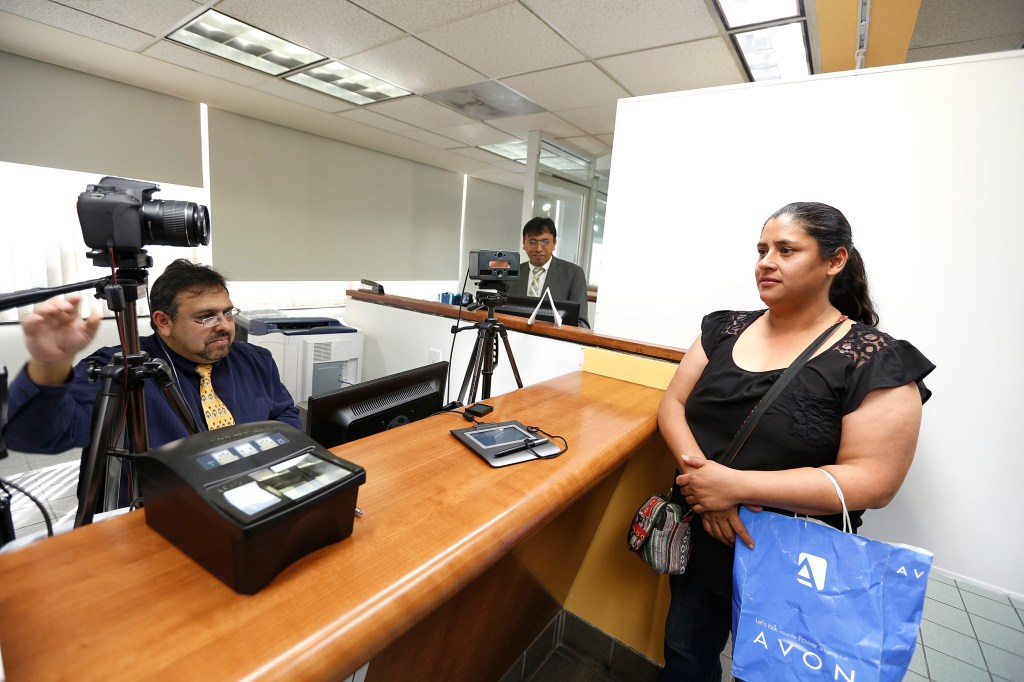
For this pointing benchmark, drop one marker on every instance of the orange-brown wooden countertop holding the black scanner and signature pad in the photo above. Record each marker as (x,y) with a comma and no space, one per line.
(115,601)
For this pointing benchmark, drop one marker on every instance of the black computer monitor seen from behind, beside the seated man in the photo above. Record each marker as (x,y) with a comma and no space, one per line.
(375,406)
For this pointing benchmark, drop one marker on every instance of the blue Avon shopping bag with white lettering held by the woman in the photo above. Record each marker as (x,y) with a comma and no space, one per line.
(810,603)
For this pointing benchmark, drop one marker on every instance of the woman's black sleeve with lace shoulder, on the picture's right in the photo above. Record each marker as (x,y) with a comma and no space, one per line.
(879,361)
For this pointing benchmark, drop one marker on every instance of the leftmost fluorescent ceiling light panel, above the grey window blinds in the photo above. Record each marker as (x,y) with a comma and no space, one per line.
(221,35)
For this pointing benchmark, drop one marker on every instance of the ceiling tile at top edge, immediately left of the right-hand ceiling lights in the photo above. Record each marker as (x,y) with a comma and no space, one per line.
(603,28)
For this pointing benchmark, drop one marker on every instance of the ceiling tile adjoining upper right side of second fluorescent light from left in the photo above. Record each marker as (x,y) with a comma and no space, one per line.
(415,66)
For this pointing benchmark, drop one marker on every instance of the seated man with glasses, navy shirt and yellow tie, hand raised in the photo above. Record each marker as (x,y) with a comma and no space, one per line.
(51,403)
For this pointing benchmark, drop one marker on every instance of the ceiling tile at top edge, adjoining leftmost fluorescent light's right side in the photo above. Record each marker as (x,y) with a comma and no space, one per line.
(333,28)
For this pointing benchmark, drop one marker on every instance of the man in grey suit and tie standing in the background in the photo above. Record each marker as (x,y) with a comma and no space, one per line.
(567,281)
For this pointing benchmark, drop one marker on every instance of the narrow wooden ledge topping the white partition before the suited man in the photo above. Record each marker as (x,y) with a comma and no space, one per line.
(540,328)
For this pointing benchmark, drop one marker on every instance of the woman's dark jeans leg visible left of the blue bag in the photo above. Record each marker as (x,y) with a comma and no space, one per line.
(696,632)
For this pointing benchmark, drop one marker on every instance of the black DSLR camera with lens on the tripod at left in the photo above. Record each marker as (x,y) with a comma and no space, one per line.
(122,215)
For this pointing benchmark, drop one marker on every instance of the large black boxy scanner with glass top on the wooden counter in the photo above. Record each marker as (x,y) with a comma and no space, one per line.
(247,501)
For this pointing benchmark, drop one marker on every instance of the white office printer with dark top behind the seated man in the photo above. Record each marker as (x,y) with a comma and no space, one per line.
(314,355)
